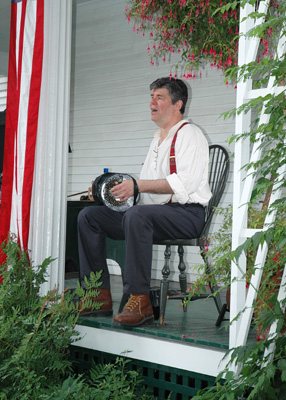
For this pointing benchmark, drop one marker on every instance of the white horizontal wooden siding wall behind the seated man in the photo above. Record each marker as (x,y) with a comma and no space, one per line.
(110,122)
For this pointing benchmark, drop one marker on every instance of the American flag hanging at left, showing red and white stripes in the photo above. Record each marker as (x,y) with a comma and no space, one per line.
(23,96)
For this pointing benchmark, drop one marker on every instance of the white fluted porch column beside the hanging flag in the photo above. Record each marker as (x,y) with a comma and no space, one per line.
(48,208)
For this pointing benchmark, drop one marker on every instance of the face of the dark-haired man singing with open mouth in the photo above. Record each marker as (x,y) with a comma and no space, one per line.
(162,109)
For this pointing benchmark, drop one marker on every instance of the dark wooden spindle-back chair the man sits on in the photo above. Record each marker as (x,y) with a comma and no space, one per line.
(218,174)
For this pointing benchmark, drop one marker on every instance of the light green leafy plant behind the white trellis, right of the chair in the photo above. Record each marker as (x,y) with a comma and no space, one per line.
(220,255)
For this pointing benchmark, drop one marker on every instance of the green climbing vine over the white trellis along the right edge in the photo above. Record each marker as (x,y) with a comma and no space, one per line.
(261,365)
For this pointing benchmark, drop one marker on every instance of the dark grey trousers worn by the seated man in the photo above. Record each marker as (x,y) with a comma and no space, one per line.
(139,226)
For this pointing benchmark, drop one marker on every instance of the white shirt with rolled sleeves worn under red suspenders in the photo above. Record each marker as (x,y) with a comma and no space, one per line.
(190,183)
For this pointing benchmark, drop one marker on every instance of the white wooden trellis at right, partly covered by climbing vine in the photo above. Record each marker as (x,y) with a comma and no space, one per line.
(243,185)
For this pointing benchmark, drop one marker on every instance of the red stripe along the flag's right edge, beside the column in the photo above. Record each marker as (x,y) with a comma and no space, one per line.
(32,126)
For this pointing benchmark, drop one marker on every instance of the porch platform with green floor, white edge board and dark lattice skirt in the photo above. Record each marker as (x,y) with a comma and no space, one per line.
(181,356)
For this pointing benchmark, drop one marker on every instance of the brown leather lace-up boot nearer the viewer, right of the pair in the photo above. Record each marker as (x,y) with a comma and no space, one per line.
(137,311)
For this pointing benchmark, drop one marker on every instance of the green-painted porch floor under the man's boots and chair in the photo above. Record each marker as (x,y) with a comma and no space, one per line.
(195,326)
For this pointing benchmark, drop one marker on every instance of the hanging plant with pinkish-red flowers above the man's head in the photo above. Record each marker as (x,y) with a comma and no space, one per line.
(192,29)
